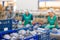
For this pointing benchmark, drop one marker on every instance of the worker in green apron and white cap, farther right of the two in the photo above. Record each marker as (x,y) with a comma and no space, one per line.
(52,19)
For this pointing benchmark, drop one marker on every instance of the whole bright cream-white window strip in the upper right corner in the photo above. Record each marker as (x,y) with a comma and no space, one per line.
(49,4)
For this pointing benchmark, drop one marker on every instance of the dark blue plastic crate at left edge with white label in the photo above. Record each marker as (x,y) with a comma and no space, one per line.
(5,24)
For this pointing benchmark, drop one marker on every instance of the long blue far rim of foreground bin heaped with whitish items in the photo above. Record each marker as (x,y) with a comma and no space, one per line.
(12,31)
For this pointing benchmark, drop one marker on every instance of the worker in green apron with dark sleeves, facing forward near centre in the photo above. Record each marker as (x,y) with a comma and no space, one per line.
(27,18)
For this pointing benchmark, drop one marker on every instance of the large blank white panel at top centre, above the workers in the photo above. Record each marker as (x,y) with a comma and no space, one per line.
(27,4)
